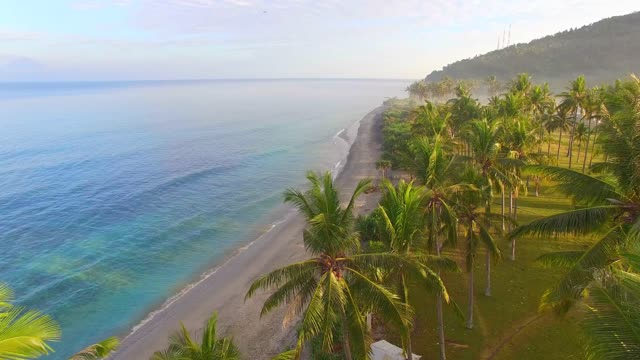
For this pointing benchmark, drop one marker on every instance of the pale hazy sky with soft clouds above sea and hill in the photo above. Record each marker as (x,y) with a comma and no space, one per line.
(169,39)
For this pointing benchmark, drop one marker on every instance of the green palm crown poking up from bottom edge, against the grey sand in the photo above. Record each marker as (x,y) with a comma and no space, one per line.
(182,346)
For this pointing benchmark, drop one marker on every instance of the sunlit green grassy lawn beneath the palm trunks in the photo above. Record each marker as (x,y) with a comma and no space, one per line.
(509,320)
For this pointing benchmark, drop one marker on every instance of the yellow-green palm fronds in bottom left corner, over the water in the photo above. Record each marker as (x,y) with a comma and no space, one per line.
(24,334)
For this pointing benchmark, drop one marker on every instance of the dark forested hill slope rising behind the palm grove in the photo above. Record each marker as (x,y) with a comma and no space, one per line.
(603,51)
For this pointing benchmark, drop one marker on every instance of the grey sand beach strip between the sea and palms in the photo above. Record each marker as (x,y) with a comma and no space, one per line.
(222,288)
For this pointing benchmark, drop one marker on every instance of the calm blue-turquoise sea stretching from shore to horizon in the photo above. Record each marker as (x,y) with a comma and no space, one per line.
(114,196)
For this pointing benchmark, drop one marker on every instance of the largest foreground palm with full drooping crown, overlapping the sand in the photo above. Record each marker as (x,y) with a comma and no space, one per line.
(332,288)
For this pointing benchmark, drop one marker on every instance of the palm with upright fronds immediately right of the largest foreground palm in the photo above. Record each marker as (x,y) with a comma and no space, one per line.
(403,222)
